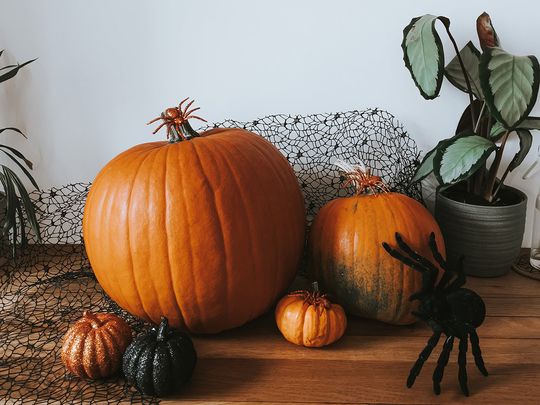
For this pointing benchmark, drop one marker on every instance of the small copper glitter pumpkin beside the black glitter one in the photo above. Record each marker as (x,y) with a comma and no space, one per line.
(93,347)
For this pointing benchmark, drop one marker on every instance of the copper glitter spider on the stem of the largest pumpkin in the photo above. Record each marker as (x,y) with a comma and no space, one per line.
(175,118)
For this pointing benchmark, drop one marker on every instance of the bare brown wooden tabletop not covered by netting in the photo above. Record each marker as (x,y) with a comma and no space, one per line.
(254,364)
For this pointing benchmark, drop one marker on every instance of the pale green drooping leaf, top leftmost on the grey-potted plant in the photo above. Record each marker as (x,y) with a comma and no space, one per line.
(423,54)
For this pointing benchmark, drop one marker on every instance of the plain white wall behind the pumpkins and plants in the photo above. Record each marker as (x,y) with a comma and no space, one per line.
(106,67)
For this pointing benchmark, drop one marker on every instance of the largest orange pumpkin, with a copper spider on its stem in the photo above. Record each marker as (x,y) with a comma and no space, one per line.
(206,229)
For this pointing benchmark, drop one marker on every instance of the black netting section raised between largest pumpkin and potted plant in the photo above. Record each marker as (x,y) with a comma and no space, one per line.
(312,143)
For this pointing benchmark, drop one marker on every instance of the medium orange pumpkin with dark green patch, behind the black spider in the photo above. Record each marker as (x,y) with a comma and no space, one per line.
(346,253)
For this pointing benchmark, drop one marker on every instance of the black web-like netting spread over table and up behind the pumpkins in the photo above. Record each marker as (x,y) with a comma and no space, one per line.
(47,288)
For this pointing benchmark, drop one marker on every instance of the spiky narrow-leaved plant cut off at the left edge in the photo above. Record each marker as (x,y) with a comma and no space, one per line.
(16,209)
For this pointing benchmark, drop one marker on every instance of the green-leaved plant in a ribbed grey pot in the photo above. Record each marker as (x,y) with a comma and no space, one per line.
(482,219)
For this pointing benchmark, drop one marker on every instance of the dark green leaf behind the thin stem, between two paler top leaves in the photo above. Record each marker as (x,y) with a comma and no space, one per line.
(471,60)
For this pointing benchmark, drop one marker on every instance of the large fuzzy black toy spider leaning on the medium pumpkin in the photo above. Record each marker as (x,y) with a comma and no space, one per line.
(447,308)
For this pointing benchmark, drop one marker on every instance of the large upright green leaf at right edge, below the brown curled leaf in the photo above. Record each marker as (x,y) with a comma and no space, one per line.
(510,85)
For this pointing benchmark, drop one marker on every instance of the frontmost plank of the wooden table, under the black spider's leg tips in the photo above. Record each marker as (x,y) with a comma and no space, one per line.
(346,381)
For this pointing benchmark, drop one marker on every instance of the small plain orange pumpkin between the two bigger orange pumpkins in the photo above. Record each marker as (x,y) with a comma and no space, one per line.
(308,318)
